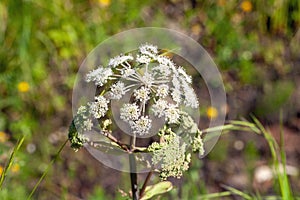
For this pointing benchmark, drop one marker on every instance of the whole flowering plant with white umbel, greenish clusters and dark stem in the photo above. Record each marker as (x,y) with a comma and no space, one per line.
(152,90)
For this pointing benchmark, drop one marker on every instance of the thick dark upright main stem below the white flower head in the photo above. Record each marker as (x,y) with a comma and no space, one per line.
(133,177)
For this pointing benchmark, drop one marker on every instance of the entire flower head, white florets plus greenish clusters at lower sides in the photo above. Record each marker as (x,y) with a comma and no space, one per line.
(158,88)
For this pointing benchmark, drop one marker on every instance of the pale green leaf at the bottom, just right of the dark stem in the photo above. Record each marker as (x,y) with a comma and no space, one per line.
(159,188)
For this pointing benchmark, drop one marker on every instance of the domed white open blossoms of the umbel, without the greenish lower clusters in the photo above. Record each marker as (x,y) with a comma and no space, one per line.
(155,82)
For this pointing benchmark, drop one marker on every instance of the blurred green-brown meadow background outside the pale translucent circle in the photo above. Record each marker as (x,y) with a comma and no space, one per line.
(255,44)
